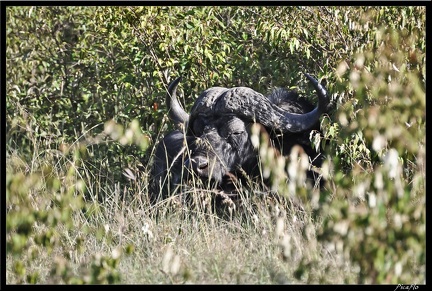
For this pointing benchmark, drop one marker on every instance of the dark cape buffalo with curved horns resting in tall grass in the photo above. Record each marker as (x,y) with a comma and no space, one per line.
(215,143)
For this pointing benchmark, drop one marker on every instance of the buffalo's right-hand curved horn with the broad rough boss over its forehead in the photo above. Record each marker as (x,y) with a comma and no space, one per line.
(253,105)
